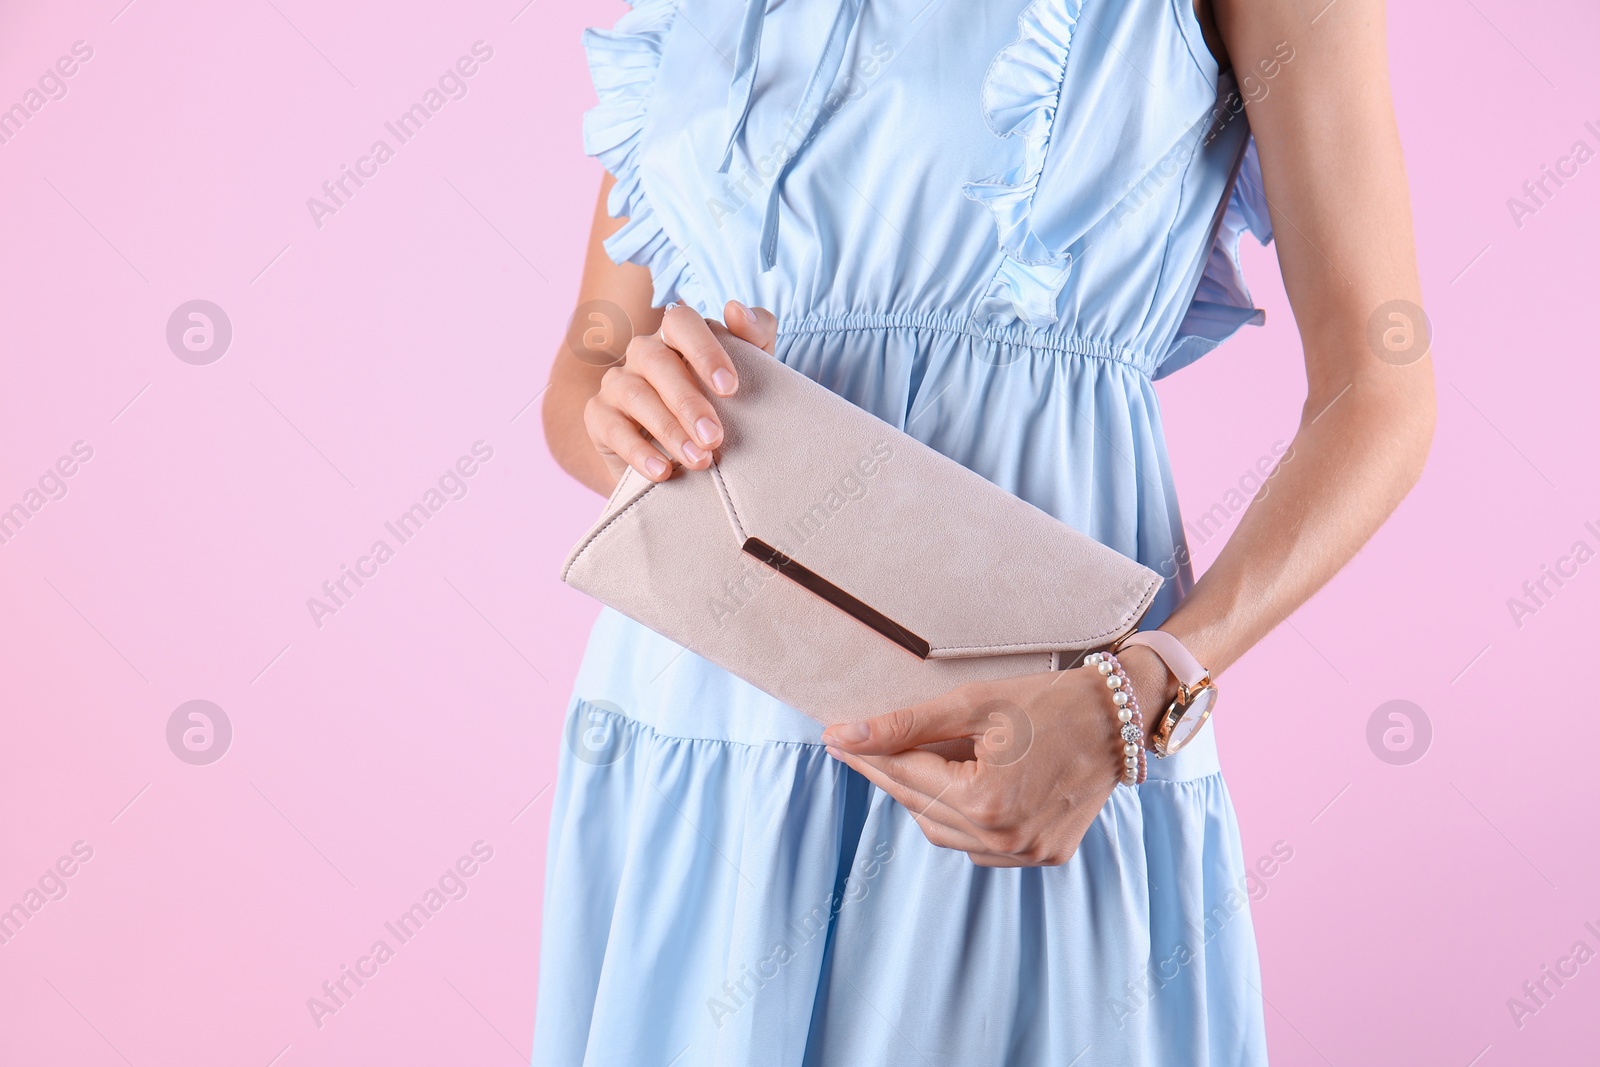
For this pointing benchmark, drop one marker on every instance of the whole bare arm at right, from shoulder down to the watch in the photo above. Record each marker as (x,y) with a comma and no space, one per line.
(1334,177)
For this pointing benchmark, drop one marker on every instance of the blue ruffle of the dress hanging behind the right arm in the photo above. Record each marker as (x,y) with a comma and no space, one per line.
(1222,303)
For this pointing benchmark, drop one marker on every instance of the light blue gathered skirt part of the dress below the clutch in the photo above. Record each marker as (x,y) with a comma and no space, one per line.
(721,892)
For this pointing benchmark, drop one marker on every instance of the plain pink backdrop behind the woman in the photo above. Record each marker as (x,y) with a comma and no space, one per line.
(425,716)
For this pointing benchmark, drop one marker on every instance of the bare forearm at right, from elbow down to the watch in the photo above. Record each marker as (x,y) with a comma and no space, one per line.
(1354,458)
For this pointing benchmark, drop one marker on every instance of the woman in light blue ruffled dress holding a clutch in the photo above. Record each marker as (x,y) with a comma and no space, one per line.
(990,223)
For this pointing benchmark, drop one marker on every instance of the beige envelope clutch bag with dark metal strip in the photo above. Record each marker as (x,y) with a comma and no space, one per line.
(844,567)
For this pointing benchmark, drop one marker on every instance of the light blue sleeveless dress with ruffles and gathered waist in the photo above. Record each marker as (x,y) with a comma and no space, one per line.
(993,225)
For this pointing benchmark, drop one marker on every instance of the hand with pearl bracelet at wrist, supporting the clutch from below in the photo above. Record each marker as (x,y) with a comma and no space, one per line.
(1046,761)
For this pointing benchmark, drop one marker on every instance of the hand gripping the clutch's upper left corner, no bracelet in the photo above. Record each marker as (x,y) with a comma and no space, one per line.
(660,393)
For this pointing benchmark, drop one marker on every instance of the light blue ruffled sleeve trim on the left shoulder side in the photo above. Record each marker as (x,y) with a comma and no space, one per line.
(623,63)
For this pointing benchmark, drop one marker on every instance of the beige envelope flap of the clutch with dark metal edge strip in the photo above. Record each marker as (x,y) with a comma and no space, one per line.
(916,546)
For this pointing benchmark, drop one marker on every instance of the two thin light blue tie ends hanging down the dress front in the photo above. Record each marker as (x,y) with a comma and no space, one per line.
(742,92)
